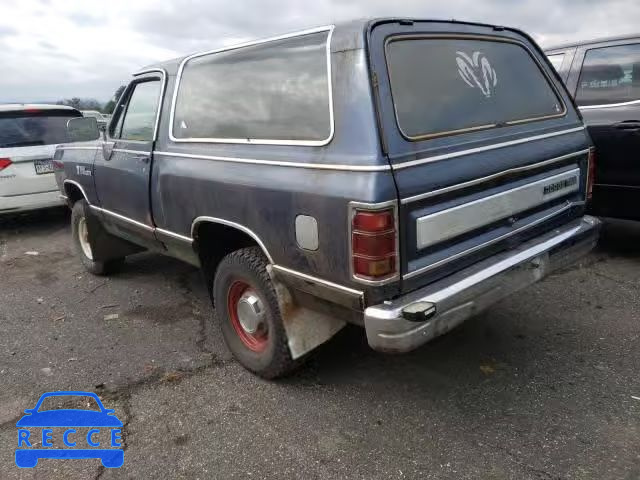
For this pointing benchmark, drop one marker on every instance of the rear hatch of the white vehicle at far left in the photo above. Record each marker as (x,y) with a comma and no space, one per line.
(28,138)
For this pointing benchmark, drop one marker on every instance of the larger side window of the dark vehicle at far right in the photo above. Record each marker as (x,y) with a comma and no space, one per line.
(610,75)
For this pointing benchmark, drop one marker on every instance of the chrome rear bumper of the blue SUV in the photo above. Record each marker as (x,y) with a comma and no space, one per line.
(450,301)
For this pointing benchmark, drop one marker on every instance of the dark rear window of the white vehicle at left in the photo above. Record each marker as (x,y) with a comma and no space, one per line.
(24,130)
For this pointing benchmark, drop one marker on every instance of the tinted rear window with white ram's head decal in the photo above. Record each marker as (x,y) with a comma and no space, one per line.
(442,86)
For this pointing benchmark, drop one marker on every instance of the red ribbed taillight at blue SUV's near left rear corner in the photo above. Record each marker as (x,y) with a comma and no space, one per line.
(374,246)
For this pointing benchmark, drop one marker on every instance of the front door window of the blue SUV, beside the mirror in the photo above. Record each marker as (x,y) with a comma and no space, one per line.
(140,116)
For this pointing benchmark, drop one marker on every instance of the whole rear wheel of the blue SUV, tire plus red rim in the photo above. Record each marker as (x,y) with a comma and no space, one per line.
(247,309)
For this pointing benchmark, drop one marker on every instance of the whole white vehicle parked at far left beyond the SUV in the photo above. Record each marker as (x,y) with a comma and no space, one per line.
(29,135)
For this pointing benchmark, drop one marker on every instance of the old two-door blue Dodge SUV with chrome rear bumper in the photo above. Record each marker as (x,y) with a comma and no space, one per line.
(401,175)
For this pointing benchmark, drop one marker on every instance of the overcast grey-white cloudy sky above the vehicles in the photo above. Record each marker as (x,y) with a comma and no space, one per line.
(52,49)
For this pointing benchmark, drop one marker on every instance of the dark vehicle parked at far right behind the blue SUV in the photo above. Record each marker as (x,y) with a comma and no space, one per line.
(604,77)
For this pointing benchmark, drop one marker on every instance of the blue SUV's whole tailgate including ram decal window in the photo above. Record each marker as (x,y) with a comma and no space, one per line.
(486,147)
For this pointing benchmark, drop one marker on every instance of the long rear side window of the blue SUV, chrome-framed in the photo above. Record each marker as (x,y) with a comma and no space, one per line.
(276,91)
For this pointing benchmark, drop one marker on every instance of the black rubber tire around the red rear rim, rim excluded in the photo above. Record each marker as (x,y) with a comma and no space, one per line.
(248,266)
